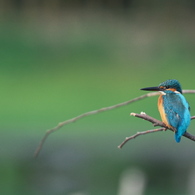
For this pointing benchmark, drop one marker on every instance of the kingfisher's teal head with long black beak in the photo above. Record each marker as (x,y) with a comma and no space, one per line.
(167,86)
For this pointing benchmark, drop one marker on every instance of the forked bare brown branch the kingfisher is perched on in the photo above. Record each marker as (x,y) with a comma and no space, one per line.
(155,122)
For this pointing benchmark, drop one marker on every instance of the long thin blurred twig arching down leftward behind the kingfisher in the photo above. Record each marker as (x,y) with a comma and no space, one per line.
(61,124)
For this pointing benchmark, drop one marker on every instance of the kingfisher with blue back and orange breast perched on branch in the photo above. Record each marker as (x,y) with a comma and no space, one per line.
(173,107)
